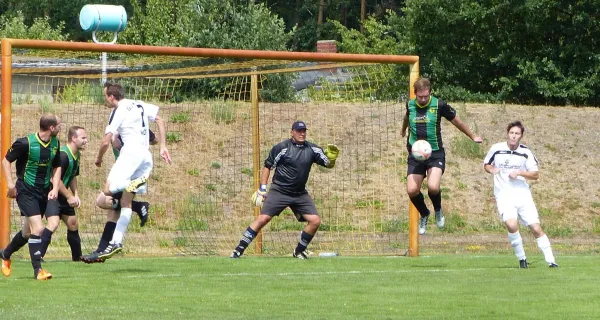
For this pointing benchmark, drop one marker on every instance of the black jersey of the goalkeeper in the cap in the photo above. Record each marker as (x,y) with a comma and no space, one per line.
(292,163)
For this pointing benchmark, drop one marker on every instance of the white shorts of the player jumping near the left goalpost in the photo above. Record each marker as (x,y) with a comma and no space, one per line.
(131,164)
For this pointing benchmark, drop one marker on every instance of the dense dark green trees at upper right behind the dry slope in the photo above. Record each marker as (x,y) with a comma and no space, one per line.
(544,54)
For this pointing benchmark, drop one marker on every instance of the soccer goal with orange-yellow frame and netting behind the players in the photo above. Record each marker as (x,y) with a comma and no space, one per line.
(224,110)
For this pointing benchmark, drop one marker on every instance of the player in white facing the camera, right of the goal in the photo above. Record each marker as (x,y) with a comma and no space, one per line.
(512,164)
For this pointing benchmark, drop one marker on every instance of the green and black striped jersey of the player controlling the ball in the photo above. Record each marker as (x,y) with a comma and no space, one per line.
(424,121)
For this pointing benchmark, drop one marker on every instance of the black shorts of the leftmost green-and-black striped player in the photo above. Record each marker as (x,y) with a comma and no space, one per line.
(33,201)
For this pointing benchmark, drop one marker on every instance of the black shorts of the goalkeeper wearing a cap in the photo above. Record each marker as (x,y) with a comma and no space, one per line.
(276,202)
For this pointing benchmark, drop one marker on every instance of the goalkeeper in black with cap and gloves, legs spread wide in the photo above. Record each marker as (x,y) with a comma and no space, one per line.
(292,160)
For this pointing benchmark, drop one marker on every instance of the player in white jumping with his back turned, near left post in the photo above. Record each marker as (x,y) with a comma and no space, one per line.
(130,118)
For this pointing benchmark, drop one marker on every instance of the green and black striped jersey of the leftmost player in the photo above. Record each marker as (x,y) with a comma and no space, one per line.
(35,159)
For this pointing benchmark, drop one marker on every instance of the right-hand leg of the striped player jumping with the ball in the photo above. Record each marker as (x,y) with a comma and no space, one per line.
(436,164)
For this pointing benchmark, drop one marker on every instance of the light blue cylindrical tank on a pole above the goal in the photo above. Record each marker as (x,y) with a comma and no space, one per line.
(100,17)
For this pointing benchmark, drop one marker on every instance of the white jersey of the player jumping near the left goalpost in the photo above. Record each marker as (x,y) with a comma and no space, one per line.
(131,120)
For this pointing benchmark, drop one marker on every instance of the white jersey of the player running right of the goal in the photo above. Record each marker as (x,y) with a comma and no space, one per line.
(500,156)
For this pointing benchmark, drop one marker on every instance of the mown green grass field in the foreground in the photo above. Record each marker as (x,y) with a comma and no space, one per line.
(428,287)
